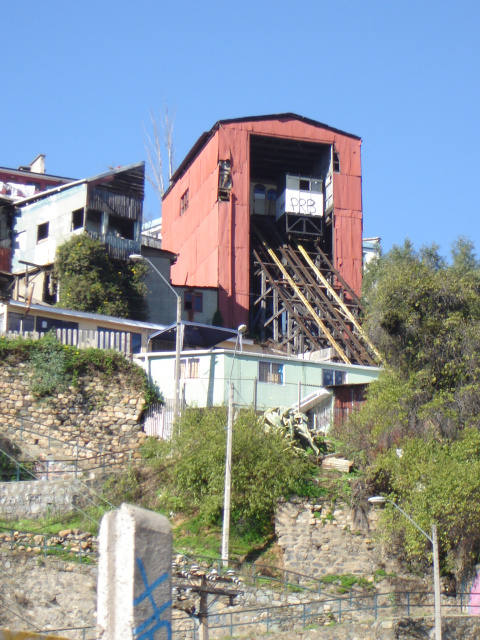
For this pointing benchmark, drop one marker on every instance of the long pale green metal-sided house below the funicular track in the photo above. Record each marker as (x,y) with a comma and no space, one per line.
(260,380)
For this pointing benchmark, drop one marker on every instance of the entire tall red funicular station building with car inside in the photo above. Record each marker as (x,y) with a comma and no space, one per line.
(249,187)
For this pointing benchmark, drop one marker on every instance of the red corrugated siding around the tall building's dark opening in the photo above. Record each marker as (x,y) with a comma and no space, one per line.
(213,239)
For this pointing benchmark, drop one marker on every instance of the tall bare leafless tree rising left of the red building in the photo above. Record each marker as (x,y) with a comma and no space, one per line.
(159,140)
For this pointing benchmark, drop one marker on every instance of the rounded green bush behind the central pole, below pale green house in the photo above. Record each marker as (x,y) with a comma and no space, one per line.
(263,469)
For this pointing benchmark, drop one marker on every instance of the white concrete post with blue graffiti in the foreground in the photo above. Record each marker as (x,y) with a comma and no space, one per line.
(134,576)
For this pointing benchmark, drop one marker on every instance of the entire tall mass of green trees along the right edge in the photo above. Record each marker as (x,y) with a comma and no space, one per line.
(417,436)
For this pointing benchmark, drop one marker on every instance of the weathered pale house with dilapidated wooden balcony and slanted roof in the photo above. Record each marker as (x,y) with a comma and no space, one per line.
(107,206)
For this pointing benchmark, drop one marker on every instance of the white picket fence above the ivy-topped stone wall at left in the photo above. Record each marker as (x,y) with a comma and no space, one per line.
(84,339)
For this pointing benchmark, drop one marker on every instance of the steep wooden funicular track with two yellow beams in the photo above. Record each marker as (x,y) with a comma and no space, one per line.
(305,304)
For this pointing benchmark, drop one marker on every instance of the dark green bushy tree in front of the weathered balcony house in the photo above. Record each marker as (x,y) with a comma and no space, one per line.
(89,280)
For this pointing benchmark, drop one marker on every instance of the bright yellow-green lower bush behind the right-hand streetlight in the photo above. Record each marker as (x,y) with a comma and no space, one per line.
(434,481)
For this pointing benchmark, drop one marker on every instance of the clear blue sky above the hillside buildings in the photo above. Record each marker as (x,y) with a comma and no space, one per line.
(79,79)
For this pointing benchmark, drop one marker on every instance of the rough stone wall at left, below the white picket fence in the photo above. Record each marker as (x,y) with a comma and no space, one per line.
(96,417)
